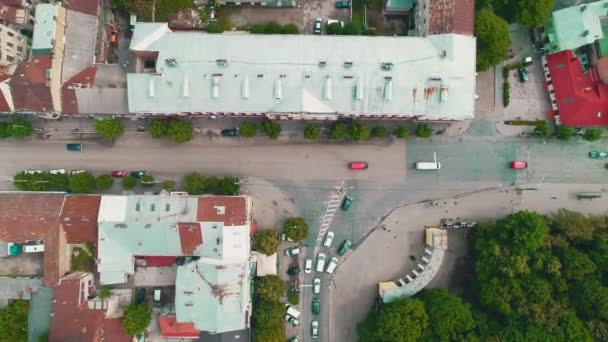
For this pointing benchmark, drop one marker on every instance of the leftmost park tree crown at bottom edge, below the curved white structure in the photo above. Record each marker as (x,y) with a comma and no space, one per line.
(403,320)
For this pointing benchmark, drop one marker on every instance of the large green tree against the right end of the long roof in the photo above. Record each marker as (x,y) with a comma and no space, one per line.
(493,41)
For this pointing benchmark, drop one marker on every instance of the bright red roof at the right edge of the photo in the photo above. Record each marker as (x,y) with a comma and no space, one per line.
(582,99)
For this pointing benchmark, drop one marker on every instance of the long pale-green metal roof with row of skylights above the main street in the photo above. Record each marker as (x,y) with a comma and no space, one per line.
(428,77)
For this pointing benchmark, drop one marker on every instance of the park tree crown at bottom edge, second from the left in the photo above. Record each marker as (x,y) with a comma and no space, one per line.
(450,319)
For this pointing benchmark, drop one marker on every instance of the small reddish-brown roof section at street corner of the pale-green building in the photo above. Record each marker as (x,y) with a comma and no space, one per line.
(235,210)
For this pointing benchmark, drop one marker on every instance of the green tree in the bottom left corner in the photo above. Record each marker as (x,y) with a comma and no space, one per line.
(13,321)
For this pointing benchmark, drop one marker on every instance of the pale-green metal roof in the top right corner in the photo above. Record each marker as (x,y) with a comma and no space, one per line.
(576,26)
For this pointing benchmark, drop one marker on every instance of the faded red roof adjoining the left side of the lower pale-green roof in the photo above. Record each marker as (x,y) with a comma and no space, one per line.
(79,218)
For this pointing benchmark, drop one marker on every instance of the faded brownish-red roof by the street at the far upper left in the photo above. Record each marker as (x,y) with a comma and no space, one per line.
(28,86)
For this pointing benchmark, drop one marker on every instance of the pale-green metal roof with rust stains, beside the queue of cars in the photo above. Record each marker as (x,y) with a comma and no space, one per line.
(212,295)
